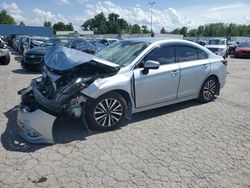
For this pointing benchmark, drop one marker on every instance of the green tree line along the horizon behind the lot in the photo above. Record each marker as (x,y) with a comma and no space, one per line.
(113,24)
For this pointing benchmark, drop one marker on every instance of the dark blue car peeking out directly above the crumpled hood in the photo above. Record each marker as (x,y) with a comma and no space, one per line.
(81,45)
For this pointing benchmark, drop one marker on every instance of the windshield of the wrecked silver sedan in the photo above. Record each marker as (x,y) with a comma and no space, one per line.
(123,52)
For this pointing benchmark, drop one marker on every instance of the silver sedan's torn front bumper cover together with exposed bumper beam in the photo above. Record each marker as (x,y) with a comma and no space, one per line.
(35,119)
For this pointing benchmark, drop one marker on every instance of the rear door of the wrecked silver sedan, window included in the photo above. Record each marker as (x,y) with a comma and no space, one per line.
(195,67)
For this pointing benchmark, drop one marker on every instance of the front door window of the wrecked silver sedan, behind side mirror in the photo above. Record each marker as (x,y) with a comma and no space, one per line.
(164,55)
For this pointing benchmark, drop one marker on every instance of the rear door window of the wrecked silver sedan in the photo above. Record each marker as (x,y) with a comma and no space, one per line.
(186,53)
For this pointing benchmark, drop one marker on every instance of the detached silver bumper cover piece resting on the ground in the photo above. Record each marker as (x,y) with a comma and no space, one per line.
(35,127)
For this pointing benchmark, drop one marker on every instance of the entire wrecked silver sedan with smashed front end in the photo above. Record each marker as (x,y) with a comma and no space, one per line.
(126,77)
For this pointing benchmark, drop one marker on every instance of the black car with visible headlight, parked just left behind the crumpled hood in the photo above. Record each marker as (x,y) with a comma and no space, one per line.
(33,59)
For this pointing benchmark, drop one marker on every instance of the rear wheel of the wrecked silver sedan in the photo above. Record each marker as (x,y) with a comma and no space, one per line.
(208,90)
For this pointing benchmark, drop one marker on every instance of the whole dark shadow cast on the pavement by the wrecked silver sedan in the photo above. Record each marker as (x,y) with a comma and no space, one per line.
(69,130)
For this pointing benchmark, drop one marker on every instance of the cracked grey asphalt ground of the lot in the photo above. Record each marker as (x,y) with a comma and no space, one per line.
(183,145)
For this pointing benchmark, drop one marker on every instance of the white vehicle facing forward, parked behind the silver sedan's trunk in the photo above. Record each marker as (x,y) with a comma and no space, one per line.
(218,46)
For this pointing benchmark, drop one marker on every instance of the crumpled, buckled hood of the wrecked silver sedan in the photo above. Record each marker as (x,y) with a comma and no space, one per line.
(63,59)
